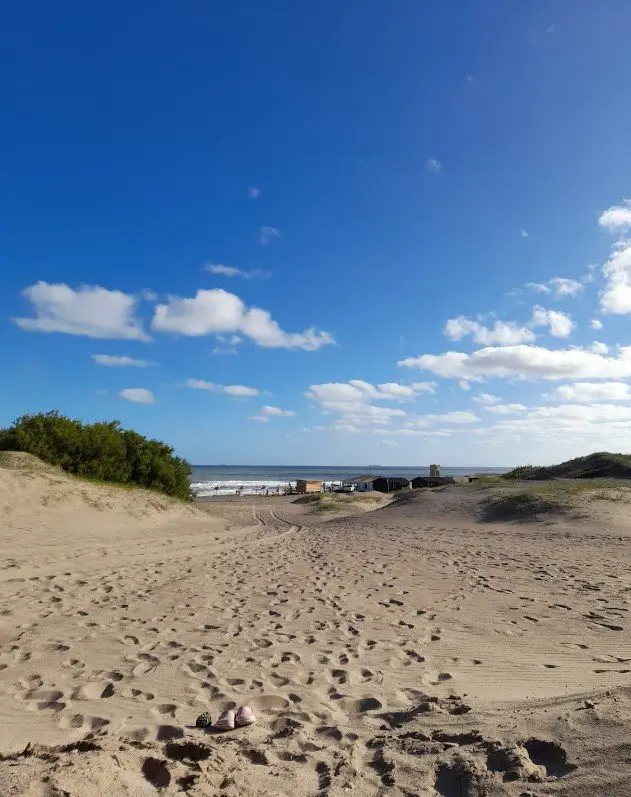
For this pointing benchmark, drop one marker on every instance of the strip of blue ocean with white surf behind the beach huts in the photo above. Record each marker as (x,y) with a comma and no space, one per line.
(255,479)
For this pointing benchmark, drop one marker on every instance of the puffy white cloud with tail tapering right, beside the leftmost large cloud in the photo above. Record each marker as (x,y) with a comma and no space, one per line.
(216,311)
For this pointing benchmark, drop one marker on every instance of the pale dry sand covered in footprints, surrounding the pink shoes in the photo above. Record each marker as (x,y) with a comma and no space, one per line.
(413,650)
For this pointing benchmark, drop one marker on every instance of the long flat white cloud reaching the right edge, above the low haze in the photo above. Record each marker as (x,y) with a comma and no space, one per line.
(524,362)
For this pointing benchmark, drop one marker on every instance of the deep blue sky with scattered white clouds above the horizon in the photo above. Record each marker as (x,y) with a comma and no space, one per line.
(336,233)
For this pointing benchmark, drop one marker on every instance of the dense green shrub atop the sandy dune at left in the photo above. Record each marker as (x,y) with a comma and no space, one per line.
(103,451)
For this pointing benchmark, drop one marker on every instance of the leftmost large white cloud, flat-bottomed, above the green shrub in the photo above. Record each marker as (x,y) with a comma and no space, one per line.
(90,310)
